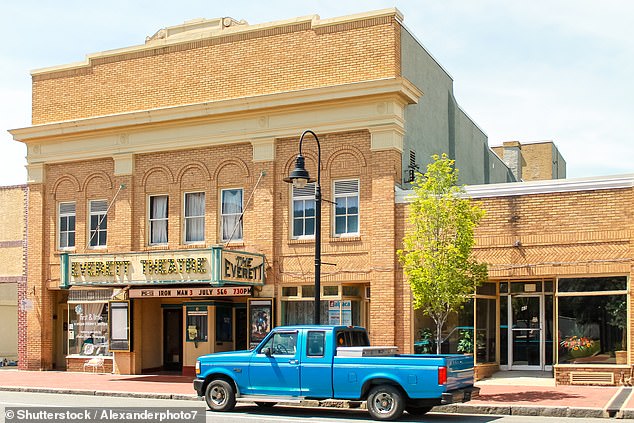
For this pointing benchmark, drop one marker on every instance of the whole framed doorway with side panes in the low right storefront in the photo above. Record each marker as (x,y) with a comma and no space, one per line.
(529,333)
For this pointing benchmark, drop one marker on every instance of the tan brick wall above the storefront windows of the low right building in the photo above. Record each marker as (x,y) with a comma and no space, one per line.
(582,233)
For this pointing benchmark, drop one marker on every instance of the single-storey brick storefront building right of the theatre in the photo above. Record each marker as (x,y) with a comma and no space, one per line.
(559,255)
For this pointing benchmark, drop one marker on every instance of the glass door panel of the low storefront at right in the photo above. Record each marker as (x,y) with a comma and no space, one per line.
(526,338)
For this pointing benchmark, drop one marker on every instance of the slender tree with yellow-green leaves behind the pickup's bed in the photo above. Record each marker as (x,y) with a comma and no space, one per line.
(437,248)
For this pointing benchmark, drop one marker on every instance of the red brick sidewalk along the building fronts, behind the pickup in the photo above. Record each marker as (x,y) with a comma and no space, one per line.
(499,395)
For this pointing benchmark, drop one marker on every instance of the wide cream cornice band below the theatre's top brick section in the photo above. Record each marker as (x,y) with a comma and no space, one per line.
(375,106)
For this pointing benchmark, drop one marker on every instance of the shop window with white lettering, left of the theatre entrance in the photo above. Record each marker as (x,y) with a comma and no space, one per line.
(88,329)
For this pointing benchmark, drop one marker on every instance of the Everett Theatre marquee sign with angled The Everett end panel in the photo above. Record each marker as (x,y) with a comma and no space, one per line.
(214,266)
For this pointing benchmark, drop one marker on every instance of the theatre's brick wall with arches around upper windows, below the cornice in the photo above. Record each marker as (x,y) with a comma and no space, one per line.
(363,259)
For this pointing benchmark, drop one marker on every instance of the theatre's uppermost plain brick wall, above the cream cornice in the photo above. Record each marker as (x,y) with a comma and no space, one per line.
(287,58)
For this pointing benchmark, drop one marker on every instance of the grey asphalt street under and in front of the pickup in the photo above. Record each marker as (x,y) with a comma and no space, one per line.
(252,413)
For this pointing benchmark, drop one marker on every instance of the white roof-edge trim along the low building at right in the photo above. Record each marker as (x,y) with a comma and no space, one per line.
(535,187)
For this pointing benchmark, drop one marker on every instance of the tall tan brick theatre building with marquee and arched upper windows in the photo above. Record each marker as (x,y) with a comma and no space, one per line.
(159,224)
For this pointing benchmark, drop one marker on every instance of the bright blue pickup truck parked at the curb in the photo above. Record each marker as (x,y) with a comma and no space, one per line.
(296,363)
